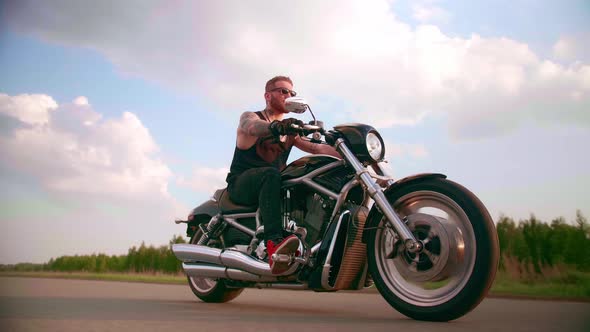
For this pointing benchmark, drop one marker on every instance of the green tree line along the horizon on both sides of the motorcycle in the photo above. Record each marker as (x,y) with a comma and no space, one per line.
(529,248)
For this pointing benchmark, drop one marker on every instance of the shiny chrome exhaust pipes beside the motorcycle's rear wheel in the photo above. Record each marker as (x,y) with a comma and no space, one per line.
(231,259)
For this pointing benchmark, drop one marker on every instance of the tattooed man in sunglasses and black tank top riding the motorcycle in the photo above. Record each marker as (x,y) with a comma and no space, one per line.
(263,144)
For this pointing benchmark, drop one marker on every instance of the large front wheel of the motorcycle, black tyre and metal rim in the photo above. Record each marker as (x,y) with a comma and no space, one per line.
(458,263)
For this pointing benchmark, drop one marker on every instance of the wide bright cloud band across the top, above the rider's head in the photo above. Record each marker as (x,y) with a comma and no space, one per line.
(355,52)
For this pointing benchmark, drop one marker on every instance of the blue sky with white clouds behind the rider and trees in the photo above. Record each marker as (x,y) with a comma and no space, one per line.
(118,117)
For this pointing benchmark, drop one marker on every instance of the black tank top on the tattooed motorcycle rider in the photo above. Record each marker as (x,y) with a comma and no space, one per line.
(266,152)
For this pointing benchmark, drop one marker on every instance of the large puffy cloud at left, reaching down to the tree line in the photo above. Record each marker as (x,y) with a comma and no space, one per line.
(85,176)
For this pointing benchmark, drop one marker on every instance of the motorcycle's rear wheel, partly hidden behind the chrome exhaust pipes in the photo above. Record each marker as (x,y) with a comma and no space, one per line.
(211,290)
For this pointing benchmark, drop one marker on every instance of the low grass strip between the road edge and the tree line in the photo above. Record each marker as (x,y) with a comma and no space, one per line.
(569,286)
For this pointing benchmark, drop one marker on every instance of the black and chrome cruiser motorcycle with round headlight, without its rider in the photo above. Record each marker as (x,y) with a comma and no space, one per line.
(426,243)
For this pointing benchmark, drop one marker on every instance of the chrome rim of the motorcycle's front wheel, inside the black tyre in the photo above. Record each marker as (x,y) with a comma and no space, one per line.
(442,270)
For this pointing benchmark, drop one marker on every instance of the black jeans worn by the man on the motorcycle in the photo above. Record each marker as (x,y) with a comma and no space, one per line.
(261,186)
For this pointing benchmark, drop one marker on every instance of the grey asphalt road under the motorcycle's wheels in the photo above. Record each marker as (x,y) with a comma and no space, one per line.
(28,304)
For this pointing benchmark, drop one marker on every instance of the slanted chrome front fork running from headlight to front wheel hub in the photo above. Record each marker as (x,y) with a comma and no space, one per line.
(378,196)
